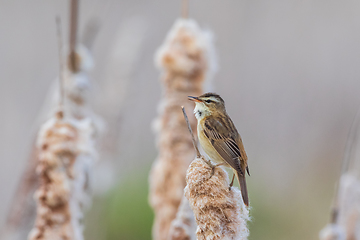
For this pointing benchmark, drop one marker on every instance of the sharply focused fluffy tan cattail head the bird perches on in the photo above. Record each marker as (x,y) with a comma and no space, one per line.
(219,211)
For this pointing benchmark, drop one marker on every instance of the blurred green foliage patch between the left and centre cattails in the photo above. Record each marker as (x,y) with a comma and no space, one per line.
(124,213)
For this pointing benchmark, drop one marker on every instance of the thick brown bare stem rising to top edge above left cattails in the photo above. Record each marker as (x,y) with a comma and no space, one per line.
(74,9)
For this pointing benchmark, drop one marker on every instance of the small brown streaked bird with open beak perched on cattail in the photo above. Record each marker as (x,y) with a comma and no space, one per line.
(219,138)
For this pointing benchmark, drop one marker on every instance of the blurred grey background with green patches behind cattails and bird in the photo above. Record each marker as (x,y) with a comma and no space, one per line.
(288,71)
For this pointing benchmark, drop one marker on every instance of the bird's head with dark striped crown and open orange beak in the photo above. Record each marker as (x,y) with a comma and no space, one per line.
(208,104)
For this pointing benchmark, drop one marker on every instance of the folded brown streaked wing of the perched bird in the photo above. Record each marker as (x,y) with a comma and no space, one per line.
(223,138)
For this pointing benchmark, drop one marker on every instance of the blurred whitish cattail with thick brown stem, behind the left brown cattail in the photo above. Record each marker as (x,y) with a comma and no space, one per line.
(77,106)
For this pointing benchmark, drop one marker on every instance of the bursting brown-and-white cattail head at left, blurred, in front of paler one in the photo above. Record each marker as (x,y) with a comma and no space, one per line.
(66,152)
